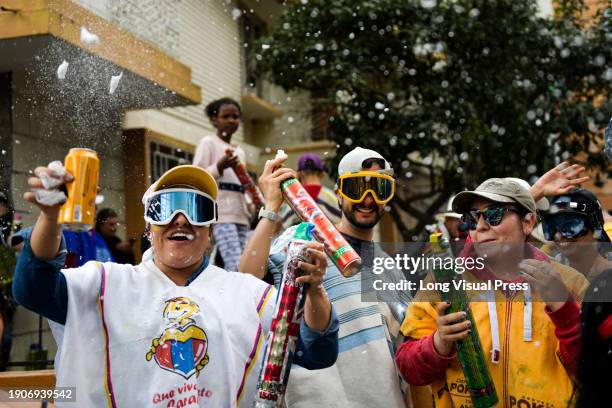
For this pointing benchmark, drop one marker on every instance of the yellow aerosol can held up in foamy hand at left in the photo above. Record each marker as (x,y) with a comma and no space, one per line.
(79,210)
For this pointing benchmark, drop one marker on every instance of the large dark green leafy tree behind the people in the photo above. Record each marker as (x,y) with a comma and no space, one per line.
(453,92)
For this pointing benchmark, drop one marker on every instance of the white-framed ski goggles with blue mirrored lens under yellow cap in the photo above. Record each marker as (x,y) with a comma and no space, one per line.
(162,206)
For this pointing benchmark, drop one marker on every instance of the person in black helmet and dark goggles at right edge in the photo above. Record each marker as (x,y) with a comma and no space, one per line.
(575,222)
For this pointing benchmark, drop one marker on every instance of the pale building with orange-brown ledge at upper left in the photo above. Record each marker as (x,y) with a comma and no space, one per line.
(174,56)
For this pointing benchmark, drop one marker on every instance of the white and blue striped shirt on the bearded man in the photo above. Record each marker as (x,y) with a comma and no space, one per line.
(364,374)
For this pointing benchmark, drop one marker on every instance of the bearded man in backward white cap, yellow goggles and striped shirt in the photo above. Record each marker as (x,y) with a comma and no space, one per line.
(365,374)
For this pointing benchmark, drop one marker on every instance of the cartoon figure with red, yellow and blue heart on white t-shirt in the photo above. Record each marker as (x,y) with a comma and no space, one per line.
(182,346)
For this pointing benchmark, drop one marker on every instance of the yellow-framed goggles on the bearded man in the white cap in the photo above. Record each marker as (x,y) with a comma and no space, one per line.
(355,186)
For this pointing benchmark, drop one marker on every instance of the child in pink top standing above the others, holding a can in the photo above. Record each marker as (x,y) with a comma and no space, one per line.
(232,230)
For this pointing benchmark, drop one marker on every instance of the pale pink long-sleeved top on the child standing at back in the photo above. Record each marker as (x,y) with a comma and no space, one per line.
(232,204)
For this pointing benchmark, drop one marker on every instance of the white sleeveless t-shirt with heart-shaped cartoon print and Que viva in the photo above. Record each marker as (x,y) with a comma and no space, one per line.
(132,336)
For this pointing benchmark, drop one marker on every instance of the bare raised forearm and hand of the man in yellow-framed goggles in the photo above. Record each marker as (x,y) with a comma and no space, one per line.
(254,259)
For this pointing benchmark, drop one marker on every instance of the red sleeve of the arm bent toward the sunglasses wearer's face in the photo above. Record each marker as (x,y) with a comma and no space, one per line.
(567,331)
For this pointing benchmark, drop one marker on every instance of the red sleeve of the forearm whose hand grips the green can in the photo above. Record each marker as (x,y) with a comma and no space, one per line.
(420,363)
